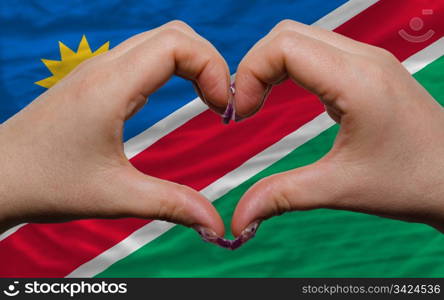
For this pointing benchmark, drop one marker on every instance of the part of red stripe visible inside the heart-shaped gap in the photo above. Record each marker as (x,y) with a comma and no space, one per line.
(204,149)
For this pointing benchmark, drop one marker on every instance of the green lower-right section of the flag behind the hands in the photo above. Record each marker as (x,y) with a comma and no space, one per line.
(319,243)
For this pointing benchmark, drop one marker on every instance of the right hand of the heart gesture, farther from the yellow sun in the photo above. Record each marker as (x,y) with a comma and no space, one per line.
(388,158)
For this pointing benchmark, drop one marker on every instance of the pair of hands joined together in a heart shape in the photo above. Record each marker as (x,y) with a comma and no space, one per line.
(62,156)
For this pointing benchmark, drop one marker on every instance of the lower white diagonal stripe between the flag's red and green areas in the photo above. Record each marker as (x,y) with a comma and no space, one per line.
(251,167)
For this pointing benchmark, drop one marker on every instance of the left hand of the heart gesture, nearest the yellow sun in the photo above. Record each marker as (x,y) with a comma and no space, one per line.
(62,156)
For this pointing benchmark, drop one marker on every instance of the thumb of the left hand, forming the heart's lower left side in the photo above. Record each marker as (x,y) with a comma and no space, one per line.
(134,194)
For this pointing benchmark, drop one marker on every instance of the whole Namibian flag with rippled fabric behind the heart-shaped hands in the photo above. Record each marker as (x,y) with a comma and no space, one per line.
(176,137)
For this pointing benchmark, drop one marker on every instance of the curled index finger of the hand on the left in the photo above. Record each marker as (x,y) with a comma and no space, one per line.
(147,61)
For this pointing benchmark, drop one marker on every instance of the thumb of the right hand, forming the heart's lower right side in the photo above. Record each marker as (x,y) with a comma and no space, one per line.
(310,187)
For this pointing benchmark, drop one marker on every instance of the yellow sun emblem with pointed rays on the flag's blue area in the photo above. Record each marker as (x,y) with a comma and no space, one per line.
(69,60)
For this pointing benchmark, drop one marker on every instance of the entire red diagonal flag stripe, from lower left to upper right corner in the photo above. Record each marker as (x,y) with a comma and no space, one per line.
(203,150)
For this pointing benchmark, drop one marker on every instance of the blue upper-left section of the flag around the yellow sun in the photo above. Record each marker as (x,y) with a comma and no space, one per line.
(30,30)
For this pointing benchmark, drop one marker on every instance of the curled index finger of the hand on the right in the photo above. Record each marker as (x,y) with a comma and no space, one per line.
(310,62)
